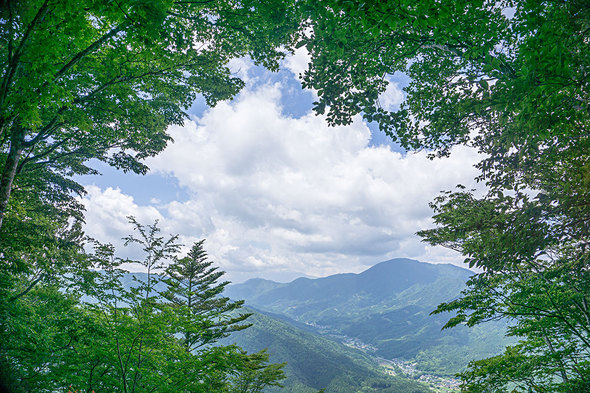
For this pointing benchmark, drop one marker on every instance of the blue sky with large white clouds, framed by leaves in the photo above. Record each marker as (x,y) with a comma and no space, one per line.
(275,191)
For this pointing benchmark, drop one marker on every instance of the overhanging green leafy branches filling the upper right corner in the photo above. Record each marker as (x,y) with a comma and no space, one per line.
(471,66)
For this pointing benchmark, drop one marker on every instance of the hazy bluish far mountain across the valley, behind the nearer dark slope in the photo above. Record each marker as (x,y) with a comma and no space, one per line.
(385,309)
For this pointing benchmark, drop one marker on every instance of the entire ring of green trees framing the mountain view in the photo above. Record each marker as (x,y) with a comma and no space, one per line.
(90,81)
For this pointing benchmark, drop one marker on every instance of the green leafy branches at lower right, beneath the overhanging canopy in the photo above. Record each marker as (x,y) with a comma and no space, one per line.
(535,276)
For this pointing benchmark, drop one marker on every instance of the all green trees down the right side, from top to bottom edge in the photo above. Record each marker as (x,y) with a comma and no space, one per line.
(511,79)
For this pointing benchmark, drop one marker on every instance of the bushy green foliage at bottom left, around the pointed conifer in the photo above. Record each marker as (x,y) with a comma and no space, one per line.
(124,338)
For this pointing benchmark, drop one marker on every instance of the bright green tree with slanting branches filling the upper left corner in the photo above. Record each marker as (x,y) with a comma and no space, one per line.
(88,79)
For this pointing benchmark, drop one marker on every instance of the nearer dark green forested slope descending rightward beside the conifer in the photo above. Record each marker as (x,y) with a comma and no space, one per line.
(315,362)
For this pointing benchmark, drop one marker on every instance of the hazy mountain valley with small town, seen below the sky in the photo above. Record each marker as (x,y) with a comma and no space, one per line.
(371,331)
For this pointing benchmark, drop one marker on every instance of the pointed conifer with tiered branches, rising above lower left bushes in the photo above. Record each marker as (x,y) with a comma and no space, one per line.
(194,292)
